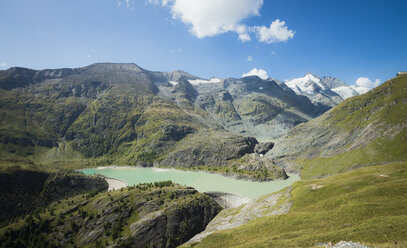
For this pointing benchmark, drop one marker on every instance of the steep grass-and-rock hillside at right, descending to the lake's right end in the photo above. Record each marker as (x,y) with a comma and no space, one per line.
(364,130)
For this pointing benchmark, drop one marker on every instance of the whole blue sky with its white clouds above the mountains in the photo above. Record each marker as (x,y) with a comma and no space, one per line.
(348,39)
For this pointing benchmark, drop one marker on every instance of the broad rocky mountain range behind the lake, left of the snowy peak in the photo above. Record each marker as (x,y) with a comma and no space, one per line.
(123,114)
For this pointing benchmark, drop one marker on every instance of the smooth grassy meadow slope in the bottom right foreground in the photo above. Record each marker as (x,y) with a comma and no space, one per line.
(367,205)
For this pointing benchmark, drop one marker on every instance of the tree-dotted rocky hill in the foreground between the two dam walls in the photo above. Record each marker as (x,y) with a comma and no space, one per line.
(159,214)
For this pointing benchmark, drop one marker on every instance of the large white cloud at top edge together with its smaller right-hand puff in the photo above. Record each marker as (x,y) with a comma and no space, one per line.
(208,18)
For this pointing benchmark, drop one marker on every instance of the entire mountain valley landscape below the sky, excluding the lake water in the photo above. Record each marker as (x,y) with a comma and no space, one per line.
(349,148)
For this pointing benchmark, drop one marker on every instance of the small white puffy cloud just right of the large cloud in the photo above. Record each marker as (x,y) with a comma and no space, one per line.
(277,32)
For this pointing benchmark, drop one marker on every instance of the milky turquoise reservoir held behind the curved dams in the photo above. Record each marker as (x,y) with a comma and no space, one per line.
(201,181)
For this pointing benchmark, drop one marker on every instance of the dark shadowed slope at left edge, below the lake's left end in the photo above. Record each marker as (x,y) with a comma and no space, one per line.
(23,190)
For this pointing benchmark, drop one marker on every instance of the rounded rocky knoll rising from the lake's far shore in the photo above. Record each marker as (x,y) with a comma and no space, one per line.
(224,152)
